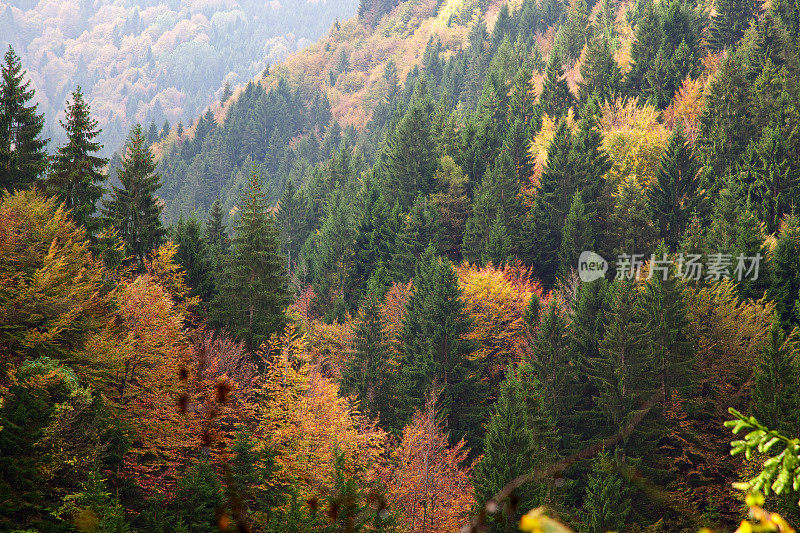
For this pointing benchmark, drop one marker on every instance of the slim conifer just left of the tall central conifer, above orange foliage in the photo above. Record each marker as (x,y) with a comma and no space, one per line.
(366,373)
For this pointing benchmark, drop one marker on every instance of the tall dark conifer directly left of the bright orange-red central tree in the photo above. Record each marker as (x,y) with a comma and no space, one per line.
(434,352)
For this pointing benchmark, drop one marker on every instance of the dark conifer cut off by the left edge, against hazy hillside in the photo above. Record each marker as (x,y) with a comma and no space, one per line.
(22,149)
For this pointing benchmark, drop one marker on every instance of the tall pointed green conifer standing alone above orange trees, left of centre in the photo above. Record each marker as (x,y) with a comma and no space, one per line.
(253,291)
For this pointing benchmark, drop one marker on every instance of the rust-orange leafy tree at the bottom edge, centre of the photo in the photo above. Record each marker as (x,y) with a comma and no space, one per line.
(429,482)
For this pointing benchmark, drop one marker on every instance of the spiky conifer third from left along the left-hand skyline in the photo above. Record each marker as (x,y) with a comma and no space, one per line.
(133,209)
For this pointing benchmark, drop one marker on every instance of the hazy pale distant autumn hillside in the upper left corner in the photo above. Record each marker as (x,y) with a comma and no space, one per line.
(154,62)
